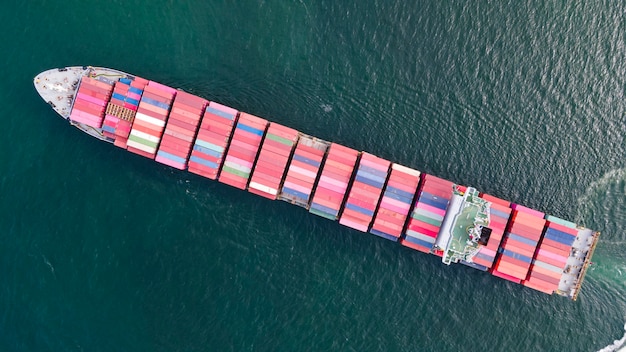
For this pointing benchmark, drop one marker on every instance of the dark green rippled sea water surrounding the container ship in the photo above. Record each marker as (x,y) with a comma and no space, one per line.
(103,250)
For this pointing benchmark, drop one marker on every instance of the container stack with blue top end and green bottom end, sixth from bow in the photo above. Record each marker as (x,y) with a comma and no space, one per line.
(243,150)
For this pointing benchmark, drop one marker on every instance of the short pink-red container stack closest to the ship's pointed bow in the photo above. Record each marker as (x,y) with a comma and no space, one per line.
(90,102)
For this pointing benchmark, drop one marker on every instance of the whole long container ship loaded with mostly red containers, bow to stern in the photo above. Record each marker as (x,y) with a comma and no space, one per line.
(359,190)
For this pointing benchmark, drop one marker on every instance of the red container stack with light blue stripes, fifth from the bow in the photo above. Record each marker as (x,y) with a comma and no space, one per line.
(212,140)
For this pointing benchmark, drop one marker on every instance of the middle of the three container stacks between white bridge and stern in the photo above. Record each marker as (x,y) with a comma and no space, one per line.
(520,243)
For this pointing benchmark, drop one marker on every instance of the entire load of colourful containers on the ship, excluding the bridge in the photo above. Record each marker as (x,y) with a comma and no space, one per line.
(362,191)
